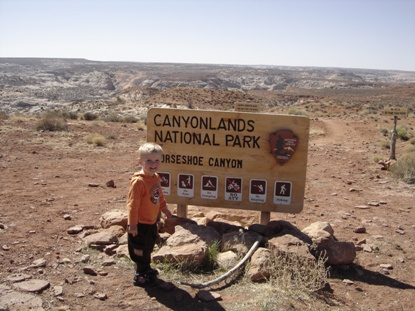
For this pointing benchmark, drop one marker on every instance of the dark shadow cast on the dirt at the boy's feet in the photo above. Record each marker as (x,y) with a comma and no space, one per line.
(180,300)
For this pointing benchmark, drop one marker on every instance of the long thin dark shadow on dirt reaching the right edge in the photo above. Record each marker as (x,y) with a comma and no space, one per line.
(360,274)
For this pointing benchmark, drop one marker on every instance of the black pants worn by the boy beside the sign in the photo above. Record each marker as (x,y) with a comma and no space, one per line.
(141,246)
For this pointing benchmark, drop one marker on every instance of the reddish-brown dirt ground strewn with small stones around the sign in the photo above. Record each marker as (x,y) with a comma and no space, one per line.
(47,175)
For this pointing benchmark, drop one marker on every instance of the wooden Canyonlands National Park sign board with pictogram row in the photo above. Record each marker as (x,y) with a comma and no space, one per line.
(235,160)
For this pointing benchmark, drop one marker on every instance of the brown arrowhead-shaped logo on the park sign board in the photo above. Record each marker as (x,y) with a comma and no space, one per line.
(283,145)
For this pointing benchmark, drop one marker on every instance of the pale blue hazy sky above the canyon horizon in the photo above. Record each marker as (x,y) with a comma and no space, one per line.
(374,34)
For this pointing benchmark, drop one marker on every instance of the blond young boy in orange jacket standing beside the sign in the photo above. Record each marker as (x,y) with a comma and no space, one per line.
(145,200)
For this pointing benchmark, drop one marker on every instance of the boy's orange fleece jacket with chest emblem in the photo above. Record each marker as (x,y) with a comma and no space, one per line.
(145,199)
